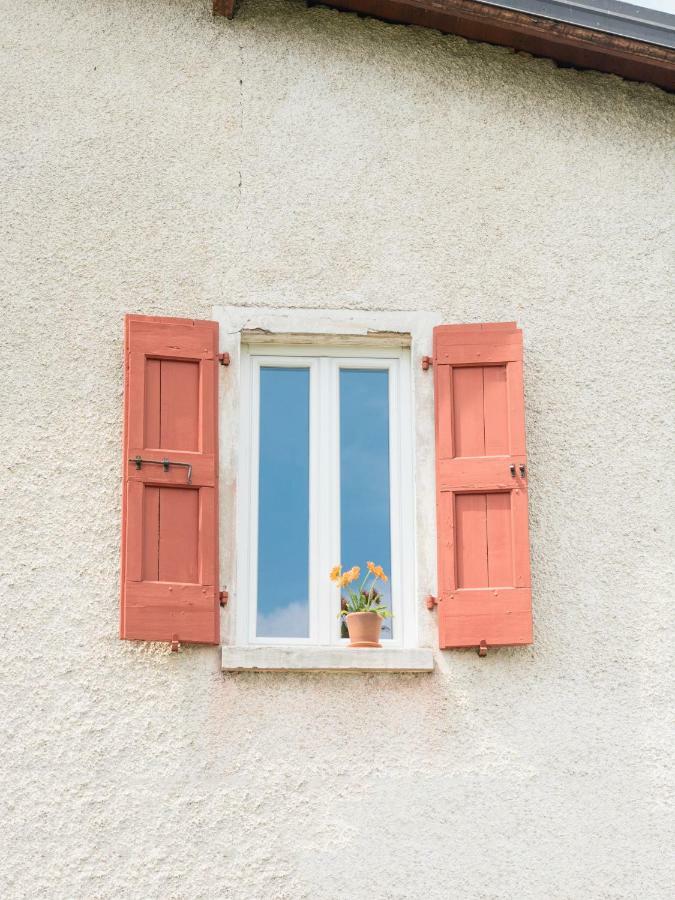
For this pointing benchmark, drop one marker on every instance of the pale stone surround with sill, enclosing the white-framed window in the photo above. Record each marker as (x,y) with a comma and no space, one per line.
(269,325)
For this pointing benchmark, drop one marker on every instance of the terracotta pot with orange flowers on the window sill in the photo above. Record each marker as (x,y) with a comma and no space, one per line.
(362,609)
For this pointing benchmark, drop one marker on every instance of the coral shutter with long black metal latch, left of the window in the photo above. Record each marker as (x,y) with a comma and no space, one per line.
(170,514)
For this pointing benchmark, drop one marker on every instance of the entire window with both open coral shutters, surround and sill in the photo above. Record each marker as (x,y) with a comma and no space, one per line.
(325,471)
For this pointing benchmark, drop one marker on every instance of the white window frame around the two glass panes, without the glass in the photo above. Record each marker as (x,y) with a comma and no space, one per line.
(325,362)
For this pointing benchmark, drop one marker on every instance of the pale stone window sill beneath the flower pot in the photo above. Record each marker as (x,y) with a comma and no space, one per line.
(325,659)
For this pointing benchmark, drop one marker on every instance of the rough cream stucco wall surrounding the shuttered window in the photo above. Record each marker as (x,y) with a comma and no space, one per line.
(154,160)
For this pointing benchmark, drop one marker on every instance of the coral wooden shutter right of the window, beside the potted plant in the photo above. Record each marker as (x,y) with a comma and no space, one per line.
(484,589)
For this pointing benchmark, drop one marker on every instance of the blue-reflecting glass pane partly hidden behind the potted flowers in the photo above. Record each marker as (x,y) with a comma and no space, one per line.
(364,475)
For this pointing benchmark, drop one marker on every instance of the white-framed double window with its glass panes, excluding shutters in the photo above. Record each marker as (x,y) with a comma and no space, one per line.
(326,478)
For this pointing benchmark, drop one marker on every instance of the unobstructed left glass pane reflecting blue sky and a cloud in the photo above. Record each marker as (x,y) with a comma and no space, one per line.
(283,504)
